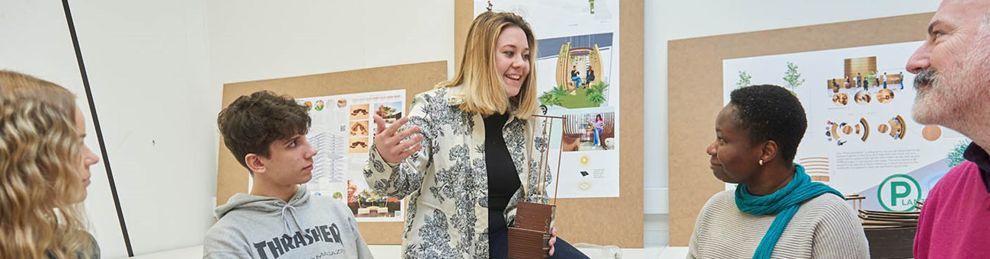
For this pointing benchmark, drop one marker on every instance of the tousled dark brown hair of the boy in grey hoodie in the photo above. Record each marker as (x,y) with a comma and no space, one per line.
(252,122)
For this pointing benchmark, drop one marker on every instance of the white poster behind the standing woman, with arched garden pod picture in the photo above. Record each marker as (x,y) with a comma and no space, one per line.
(577,60)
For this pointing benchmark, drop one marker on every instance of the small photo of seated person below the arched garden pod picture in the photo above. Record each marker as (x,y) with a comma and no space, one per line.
(589,132)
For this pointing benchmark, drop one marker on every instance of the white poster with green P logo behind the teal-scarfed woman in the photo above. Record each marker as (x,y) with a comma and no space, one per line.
(861,138)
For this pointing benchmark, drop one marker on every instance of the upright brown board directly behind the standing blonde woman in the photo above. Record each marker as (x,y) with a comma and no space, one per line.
(605,221)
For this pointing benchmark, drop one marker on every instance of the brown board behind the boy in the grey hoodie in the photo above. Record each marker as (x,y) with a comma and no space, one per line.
(415,78)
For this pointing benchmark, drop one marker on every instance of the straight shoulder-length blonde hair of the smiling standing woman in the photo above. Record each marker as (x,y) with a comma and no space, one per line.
(483,91)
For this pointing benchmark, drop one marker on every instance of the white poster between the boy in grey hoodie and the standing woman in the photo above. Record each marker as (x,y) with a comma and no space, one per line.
(342,130)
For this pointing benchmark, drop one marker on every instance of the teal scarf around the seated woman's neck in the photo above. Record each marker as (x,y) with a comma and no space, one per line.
(783,202)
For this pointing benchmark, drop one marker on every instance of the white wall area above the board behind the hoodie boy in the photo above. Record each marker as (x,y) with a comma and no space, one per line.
(258,39)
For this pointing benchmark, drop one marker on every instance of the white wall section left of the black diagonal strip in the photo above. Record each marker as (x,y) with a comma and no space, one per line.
(34,39)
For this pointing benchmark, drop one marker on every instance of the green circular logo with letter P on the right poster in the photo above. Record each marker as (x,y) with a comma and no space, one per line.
(899,192)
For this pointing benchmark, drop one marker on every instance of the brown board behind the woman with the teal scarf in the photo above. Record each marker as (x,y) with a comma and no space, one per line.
(695,94)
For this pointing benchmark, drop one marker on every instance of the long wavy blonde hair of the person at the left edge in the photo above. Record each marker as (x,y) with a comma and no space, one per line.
(41,187)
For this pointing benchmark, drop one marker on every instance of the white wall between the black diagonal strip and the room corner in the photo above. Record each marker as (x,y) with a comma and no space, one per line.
(148,65)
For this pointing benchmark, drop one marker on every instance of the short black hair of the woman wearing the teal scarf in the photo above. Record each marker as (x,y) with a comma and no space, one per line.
(771,112)
